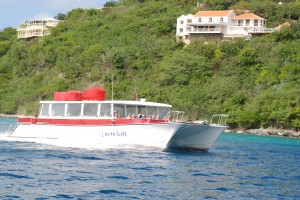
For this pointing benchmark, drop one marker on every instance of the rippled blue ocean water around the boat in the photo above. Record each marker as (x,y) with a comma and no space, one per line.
(237,167)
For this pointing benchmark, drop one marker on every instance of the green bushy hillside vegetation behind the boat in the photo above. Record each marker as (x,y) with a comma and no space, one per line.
(133,43)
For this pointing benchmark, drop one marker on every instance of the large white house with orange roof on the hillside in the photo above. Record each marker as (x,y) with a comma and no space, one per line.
(218,25)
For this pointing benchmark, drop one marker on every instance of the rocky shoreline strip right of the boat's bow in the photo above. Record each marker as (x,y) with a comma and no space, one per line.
(267,132)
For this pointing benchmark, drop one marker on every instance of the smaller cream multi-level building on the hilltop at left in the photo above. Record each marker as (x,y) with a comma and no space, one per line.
(37,27)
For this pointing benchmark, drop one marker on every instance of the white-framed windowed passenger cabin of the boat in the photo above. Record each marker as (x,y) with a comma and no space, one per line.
(104,109)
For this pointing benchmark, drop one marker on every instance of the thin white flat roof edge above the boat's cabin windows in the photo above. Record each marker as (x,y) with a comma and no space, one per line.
(127,102)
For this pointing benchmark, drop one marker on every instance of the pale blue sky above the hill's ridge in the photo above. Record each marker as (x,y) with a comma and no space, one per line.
(15,12)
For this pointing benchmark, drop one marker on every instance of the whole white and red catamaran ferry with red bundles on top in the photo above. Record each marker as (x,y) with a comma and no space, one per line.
(86,121)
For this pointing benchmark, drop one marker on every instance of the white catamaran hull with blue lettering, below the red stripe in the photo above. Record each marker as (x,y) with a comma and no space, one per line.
(162,135)
